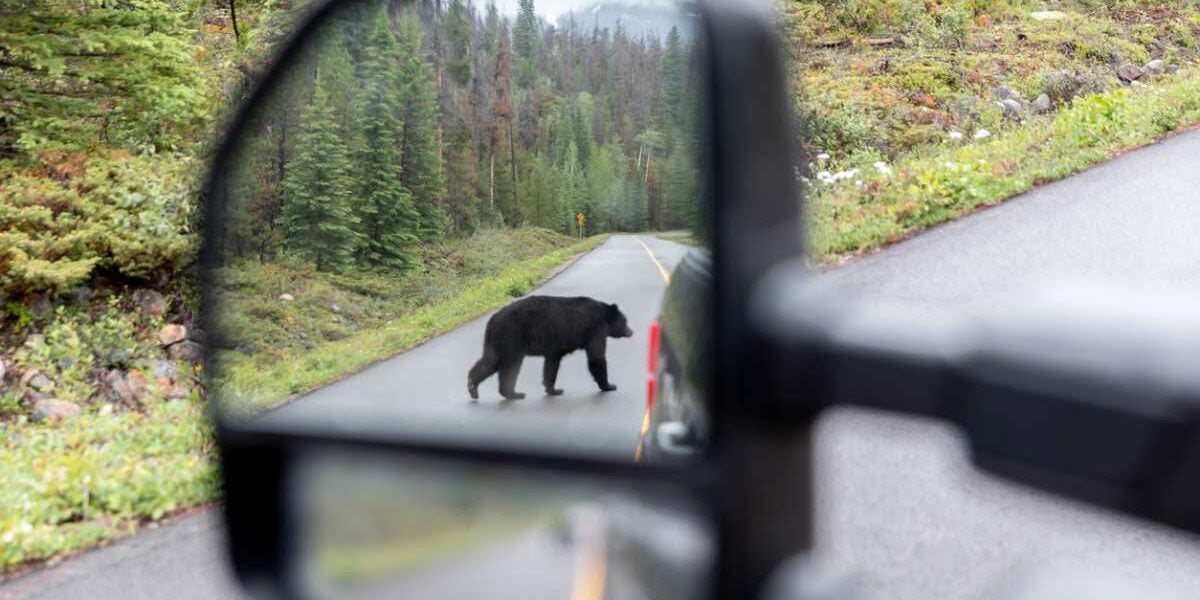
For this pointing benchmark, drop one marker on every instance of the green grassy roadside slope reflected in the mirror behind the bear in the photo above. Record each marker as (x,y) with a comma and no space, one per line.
(293,347)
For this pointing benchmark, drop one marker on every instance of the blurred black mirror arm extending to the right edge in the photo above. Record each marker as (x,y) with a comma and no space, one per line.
(1079,412)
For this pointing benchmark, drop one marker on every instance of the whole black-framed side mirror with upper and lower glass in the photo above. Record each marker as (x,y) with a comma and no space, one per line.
(407,169)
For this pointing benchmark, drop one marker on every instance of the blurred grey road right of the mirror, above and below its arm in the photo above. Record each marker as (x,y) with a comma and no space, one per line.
(898,496)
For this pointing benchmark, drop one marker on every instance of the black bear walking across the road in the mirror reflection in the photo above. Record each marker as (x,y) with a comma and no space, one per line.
(549,327)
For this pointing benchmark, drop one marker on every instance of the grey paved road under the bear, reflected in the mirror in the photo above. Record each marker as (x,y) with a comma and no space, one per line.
(424,392)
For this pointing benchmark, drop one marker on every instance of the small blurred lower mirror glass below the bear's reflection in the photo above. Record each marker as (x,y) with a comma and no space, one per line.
(411,527)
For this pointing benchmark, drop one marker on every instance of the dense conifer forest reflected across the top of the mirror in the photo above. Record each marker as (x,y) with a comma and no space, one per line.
(409,123)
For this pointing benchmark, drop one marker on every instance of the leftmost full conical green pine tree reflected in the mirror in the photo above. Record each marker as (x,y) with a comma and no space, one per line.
(317,223)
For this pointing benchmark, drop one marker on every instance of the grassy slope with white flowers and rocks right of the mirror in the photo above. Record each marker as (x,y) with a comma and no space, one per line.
(902,107)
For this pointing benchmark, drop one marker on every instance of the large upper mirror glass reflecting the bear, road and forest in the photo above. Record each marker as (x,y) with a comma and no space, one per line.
(458,221)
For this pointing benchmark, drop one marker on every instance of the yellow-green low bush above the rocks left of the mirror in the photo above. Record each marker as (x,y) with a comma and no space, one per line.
(124,215)
